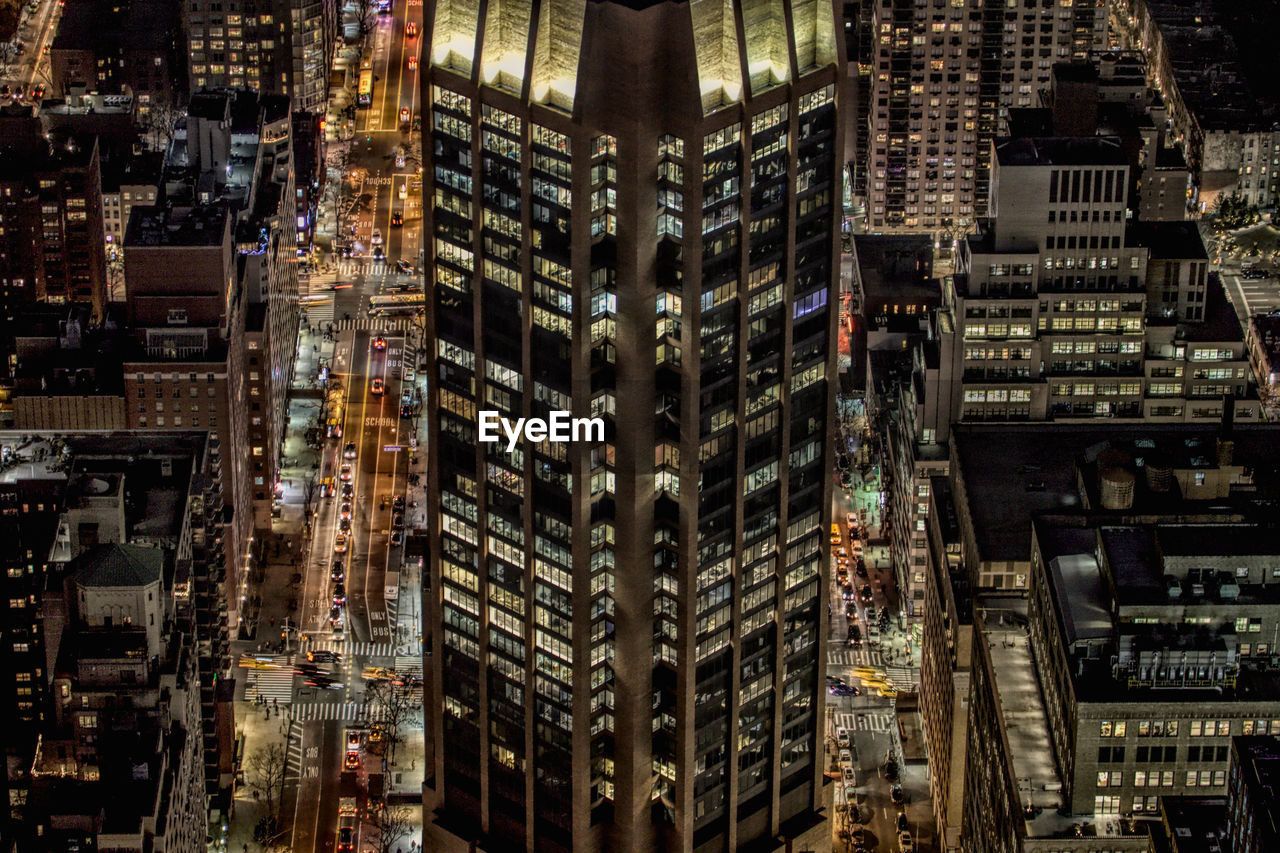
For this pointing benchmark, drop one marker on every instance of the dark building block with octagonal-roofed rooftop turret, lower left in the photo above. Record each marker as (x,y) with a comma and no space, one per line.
(135,527)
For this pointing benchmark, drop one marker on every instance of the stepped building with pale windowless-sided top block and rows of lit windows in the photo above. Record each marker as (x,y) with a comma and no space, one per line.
(1052,308)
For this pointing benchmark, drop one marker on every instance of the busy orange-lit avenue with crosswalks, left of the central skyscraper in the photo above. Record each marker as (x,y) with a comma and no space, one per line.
(356,604)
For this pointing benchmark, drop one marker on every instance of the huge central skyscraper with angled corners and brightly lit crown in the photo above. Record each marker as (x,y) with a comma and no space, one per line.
(634,216)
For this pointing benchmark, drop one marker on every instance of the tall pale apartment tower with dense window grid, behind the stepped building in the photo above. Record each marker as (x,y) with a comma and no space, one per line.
(943,75)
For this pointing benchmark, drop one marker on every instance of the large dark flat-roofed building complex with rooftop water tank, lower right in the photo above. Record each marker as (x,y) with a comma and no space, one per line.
(1118,590)
